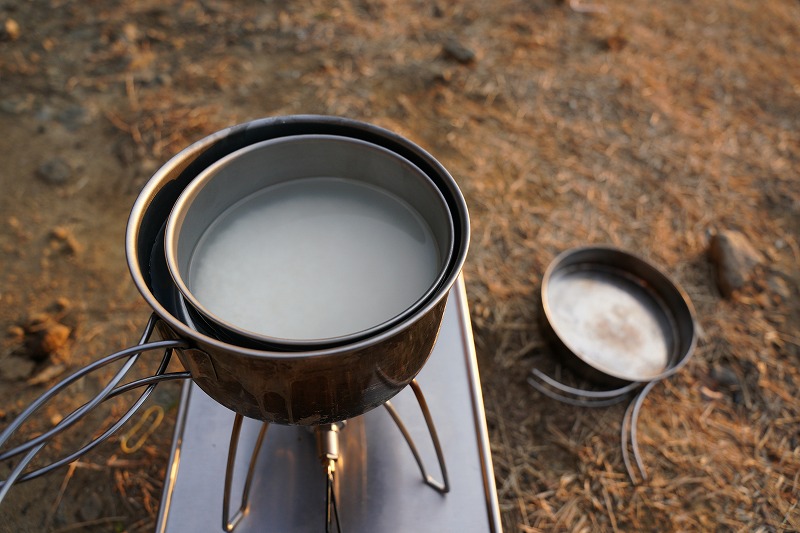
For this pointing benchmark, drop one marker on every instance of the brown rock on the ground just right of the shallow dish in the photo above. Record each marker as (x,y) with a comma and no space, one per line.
(734,258)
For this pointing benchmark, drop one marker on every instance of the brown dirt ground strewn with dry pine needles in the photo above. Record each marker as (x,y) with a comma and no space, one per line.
(646,125)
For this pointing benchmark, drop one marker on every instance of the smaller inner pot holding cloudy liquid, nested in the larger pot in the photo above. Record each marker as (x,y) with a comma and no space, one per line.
(308,240)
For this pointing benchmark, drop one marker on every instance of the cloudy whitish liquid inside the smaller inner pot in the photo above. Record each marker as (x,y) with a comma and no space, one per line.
(314,258)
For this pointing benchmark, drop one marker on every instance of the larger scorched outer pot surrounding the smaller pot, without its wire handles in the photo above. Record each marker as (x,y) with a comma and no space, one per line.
(307,387)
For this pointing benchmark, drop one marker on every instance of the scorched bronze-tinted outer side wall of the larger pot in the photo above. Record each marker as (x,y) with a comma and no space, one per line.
(312,389)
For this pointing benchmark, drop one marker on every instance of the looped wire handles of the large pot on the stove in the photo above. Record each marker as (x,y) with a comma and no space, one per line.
(112,389)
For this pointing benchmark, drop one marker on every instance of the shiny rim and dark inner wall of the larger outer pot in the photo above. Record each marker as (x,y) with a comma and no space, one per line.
(171,170)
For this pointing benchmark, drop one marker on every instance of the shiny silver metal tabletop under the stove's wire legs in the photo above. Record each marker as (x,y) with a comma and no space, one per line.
(380,487)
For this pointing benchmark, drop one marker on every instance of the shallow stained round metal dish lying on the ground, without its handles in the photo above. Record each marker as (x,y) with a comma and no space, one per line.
(614,317)
